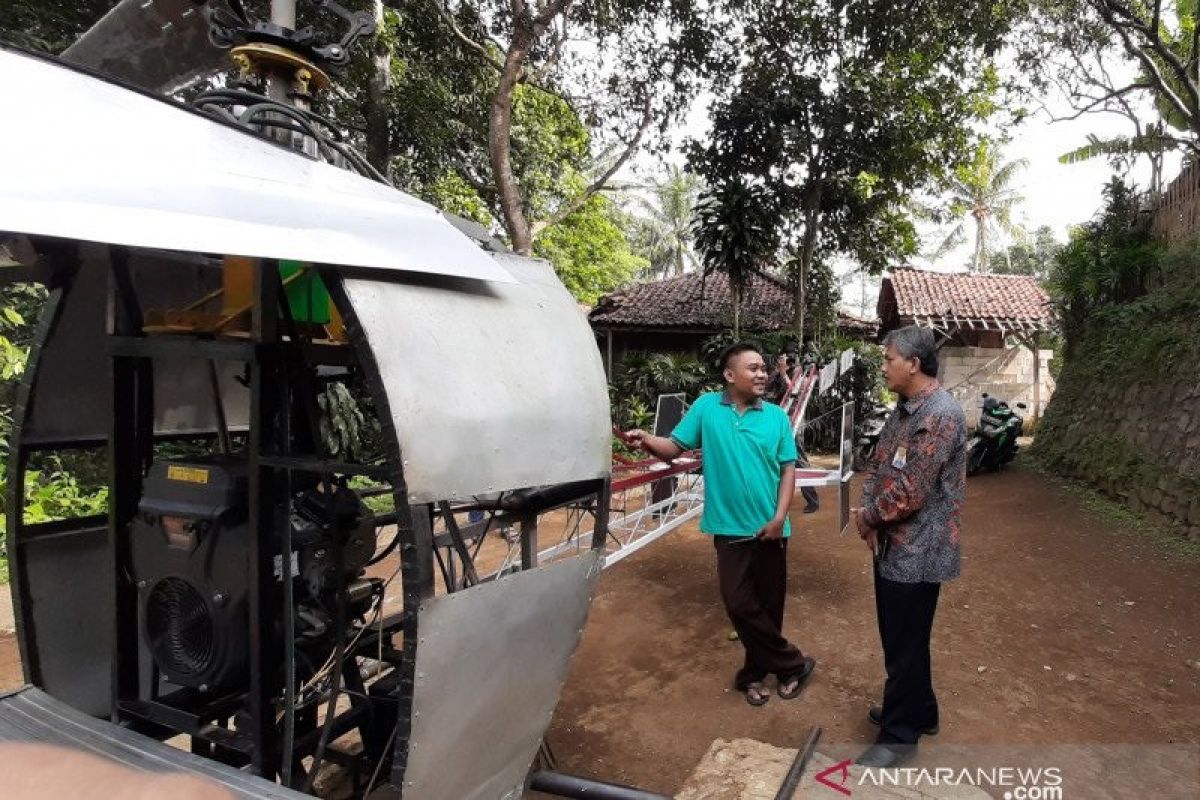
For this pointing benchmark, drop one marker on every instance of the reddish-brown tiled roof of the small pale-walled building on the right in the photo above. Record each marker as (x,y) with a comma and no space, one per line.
(964,299)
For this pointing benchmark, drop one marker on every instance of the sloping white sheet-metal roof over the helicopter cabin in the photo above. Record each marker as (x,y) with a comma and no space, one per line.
(173,179)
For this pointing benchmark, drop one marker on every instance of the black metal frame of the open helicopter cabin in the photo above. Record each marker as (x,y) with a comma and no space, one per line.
(259,741)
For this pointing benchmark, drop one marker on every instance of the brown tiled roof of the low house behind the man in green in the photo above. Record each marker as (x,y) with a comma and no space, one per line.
(677,304)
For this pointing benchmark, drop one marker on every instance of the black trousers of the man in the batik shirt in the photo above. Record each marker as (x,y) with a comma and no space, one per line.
(905,613)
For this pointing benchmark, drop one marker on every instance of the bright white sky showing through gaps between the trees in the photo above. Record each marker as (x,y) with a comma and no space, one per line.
(1055,195)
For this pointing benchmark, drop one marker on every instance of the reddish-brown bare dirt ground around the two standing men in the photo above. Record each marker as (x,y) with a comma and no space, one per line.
(1061,630)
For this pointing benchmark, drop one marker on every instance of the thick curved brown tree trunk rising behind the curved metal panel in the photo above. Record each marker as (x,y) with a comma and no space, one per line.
(500,143)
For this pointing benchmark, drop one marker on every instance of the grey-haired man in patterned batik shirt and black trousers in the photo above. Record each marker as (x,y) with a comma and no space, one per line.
(913,521)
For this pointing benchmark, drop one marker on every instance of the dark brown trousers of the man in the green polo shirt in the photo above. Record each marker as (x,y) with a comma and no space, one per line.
(753,576)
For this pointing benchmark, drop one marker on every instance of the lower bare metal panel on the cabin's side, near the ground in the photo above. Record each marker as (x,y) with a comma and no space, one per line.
(490,667)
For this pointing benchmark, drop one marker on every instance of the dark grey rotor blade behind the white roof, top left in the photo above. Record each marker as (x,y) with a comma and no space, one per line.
(158,45)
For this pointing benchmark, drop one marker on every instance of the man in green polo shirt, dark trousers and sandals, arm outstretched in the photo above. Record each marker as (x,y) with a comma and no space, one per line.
(749,456)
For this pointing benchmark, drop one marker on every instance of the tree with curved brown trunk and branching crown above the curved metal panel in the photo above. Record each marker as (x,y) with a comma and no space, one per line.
(649,56)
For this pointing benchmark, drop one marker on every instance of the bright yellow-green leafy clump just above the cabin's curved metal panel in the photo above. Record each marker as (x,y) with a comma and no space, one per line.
(590,251)
